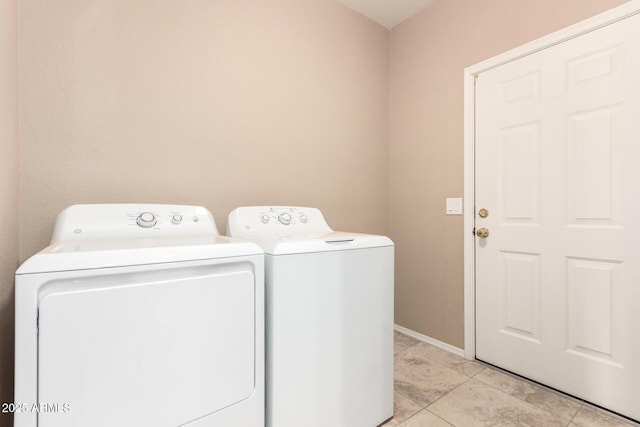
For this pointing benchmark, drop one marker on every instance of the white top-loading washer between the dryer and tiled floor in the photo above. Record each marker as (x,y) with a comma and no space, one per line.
(329,298)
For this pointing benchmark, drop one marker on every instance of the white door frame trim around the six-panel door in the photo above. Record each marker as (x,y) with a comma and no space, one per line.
(470,73)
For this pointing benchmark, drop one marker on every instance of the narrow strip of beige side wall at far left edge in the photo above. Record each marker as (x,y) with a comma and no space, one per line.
(8,192)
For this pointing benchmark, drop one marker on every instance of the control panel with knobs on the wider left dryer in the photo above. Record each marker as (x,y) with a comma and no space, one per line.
(128,220)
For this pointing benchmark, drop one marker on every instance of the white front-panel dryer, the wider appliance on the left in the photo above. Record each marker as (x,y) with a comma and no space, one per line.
(140,315)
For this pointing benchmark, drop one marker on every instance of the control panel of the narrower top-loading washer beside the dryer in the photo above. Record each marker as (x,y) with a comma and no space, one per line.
(276,219)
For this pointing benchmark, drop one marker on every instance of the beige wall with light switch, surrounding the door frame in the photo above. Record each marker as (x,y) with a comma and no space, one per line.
(428,54)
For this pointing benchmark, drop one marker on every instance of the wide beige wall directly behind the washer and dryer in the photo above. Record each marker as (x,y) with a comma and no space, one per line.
(219,103)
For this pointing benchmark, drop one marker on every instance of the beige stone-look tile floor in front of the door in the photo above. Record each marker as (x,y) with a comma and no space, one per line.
(436,388)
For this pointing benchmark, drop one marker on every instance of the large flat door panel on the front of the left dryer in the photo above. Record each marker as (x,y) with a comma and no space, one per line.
(155,348)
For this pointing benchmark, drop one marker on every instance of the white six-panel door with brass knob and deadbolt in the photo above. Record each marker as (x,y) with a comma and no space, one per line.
(558,172)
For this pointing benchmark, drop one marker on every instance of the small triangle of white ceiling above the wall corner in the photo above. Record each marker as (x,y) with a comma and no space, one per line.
(387,13)
